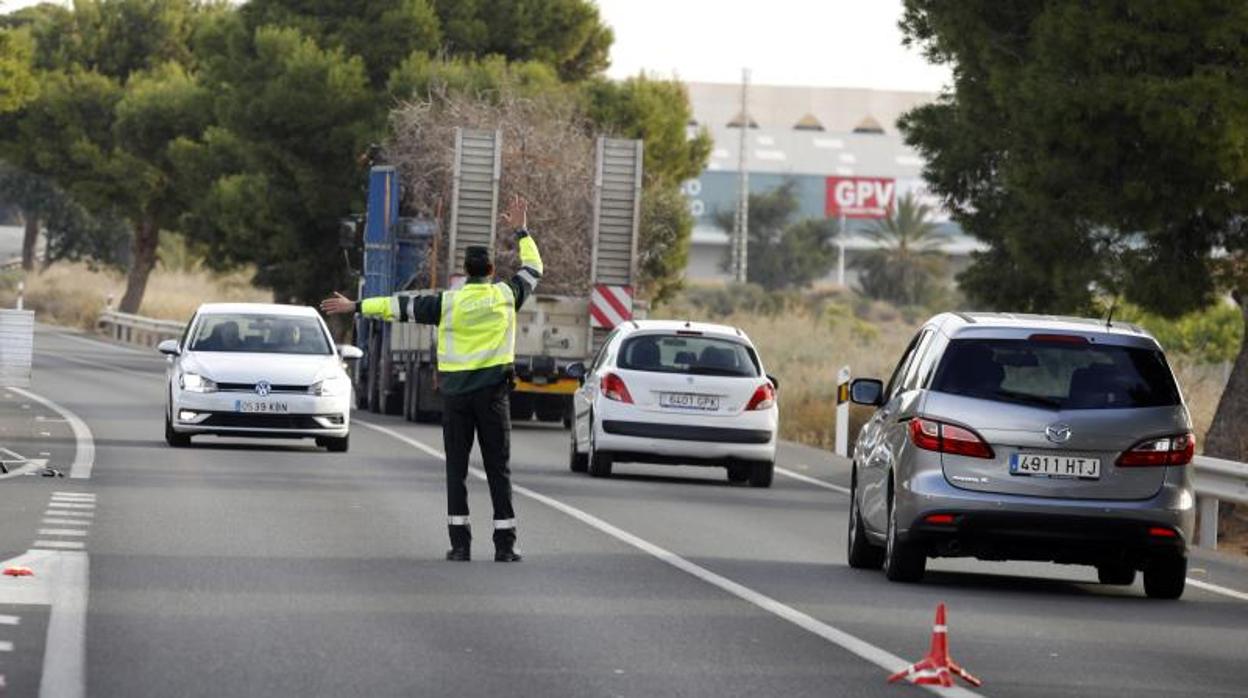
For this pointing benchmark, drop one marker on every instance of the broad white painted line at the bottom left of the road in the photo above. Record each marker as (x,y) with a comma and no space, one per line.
(66,655)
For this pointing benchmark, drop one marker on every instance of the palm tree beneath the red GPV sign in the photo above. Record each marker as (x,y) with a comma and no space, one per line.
(907,260)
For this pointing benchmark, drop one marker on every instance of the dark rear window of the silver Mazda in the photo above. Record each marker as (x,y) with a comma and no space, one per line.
(1058,375)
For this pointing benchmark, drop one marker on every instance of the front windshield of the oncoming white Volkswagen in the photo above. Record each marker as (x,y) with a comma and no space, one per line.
(260,334)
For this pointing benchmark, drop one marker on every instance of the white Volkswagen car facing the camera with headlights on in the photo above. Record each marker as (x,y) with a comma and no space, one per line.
(258,370)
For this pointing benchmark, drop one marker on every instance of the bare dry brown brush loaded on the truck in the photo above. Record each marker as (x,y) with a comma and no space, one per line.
(548,159)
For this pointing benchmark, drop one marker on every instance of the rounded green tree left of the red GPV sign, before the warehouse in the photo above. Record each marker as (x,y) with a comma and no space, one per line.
(784,253)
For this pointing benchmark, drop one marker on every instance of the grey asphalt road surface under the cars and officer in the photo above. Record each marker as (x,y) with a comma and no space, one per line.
(274,569)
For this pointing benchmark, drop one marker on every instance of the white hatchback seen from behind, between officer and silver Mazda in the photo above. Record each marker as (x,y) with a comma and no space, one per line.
(680,394)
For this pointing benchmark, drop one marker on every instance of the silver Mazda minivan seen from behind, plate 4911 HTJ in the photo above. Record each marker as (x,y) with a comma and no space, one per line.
(1026,438)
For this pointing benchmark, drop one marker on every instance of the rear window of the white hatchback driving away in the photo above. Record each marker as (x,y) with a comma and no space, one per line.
(688,354)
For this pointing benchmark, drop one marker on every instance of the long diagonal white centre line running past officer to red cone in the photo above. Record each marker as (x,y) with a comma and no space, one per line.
(878,656)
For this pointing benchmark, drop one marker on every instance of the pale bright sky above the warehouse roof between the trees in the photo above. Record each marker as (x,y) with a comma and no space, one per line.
(816,43)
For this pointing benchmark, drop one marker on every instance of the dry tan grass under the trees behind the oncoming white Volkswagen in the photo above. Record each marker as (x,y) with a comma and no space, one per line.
(74,295)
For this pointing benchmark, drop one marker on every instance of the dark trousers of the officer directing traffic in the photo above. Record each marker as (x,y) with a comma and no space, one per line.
(485,415)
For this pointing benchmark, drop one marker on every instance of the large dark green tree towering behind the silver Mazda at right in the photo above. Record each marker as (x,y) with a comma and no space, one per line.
(1096,145)
